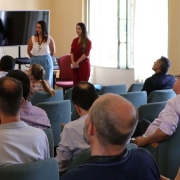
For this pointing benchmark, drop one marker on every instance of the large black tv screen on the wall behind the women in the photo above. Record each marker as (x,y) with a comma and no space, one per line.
(16,27)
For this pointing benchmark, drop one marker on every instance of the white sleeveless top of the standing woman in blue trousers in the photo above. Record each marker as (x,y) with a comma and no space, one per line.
(40,50)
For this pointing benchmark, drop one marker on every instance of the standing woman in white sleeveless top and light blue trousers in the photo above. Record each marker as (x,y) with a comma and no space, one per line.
(41,48)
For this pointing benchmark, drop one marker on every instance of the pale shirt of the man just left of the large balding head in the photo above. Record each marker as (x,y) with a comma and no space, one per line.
(72,142)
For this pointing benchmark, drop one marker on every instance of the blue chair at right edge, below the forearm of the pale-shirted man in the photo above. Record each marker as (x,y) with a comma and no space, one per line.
(166,154)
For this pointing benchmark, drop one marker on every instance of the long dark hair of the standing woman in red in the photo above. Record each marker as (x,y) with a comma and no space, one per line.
(84,36)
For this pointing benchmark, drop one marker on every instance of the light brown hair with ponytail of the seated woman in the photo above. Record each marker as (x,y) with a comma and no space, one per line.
(38,72)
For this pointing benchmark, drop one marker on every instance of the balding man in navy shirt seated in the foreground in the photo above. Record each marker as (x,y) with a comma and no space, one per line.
(110,123)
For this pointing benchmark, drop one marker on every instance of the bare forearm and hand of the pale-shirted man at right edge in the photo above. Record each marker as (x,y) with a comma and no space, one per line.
(156,137)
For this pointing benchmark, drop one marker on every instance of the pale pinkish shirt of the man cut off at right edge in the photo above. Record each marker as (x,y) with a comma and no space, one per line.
(168,118)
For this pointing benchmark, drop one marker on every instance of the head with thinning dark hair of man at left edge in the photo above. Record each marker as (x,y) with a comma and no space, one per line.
(10,96)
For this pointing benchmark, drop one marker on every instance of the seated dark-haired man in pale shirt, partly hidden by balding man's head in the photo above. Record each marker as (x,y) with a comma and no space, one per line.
(72,141)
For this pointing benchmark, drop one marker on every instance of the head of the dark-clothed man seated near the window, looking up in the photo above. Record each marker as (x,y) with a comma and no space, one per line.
(161,65)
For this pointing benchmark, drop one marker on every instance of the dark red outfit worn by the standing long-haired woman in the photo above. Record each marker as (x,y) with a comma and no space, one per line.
(83,72)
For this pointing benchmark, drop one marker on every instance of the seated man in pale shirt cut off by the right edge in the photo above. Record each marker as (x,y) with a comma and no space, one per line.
(166,123)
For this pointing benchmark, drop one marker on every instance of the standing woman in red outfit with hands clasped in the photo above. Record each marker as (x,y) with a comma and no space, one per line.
(80,49)
